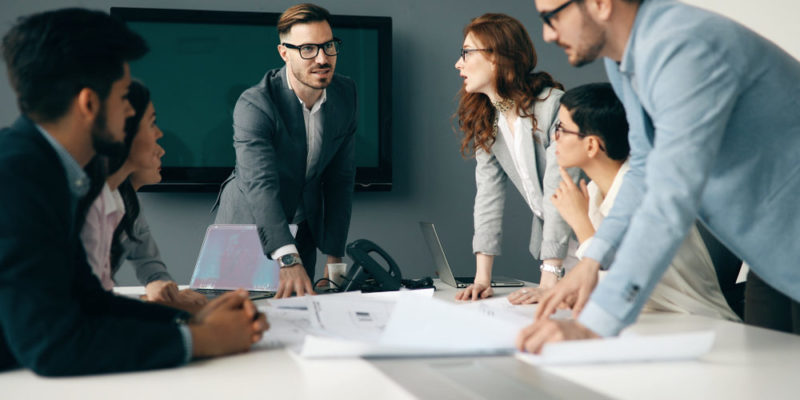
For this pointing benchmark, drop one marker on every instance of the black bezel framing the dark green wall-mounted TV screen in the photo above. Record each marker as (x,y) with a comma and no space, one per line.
(208,179)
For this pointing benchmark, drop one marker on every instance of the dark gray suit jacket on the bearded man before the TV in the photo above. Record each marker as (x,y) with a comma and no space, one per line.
(269,181)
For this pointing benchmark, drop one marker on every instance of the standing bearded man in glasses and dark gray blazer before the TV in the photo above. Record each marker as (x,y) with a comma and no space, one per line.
(294,141)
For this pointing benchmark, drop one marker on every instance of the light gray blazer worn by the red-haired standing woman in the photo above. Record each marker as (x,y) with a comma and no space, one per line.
(549,232)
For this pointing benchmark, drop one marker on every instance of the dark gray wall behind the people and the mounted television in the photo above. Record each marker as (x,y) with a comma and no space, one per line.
(431,180)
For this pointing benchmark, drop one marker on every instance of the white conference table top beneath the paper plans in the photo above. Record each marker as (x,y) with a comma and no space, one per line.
(745,363)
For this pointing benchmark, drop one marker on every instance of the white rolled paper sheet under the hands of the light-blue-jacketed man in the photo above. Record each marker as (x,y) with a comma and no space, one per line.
(626,348)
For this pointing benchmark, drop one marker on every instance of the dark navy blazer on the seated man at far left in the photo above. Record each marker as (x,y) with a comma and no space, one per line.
(55,318)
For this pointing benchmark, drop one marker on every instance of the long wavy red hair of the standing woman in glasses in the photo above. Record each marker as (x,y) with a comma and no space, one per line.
(512,51)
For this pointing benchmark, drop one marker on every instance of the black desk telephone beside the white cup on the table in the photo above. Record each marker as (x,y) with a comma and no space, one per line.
(368,275)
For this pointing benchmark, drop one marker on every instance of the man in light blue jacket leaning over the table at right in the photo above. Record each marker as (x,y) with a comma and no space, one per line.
(714,134)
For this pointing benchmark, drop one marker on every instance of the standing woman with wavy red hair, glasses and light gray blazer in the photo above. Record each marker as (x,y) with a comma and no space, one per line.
(507,112)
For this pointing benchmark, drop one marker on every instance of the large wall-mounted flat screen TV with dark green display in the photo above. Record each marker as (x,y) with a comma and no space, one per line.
(201,61)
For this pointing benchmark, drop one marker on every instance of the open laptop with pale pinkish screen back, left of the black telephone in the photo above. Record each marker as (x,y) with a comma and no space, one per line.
(231,258)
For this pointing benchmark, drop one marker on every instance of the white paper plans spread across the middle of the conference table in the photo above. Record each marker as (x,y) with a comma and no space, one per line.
(412,323)
